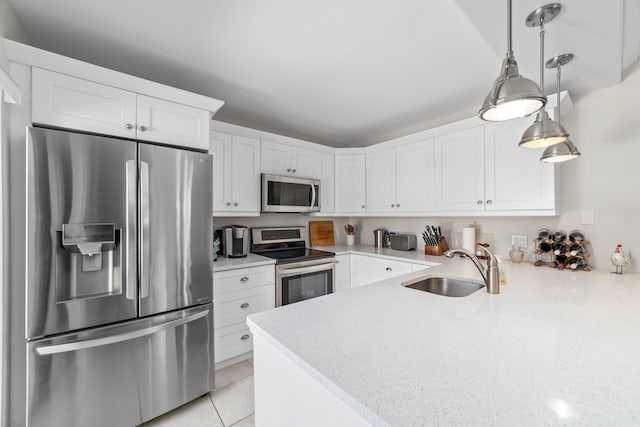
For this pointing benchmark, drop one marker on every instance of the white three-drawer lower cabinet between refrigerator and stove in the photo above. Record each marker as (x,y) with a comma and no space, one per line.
(236,294)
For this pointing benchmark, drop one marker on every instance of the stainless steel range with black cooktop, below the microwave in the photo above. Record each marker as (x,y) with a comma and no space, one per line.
(301,273)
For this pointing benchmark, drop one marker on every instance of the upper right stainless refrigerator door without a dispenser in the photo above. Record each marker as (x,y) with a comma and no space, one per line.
(175,229)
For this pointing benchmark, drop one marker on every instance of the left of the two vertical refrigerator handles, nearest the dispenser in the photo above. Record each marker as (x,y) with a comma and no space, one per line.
(131,262)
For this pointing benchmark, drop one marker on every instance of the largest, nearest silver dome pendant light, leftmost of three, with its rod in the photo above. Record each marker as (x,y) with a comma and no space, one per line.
(511,95)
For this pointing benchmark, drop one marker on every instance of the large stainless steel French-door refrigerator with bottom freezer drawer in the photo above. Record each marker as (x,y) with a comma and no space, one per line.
(119,279)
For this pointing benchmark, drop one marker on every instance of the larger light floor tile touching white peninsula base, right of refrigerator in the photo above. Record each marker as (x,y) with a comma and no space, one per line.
(234,401)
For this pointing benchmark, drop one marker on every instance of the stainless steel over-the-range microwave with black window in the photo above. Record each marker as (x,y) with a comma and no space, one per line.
(290,194)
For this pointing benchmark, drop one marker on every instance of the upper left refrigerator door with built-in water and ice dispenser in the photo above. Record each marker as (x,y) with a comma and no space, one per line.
(81,231)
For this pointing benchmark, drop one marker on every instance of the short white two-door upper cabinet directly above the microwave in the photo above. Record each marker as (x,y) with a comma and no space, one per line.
(280,159)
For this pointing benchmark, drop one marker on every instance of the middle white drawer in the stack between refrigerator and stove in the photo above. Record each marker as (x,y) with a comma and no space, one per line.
(234,307)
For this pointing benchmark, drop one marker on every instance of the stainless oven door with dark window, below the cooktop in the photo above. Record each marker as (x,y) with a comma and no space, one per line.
(304,280)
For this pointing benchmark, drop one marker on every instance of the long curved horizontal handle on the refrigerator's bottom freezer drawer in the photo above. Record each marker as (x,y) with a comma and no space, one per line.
(98,342)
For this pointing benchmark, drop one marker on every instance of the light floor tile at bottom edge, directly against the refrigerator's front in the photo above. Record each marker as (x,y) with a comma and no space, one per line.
(199,412)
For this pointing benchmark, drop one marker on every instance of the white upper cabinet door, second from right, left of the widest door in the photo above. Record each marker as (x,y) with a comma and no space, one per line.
(460,170)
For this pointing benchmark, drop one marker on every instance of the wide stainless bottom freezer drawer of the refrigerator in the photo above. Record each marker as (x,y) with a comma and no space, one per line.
(121,375)
